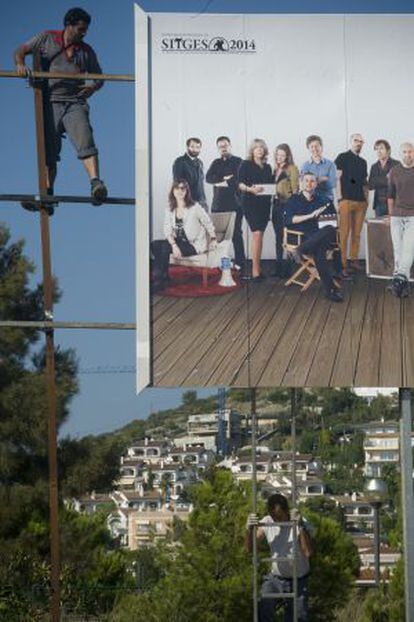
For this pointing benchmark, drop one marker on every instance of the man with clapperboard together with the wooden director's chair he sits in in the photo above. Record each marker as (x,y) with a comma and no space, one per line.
(314,242)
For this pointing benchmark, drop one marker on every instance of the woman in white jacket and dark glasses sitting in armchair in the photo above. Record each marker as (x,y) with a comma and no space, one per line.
(186,227)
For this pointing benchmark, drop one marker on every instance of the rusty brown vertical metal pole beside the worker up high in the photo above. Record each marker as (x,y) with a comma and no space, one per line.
(50,357)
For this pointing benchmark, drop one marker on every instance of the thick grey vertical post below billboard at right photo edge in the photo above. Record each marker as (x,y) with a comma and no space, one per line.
(407,498)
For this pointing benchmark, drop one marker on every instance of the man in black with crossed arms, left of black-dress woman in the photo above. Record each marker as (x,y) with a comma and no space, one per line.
(223,175)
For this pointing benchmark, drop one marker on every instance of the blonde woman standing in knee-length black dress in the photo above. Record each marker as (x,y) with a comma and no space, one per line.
(253,173)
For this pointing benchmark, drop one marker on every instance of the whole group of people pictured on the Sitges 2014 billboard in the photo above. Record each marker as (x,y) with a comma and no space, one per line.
(299,198)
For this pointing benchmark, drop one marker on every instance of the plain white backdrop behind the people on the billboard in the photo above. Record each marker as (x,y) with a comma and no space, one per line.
(310,74)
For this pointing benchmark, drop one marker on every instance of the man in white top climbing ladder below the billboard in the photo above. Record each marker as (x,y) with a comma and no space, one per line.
(280,539)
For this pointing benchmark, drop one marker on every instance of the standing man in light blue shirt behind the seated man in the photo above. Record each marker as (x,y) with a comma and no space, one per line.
(324,169)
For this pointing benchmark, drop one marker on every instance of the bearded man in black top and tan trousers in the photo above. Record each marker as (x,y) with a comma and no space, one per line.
(352,193)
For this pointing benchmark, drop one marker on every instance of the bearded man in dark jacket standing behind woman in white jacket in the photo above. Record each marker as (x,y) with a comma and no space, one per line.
(189,168)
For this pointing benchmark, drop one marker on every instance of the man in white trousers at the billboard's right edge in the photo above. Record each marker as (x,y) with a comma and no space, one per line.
(401,209)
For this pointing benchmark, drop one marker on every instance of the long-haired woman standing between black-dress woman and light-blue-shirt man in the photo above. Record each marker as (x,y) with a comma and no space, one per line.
(286,177)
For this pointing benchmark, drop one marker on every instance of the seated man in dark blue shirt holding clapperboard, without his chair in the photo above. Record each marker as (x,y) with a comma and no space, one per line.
(301,213)
